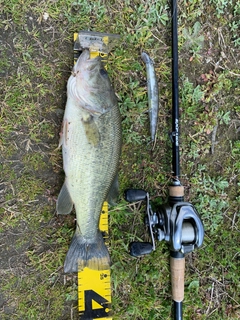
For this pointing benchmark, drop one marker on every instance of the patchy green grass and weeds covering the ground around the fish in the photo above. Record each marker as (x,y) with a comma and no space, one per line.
(36,48)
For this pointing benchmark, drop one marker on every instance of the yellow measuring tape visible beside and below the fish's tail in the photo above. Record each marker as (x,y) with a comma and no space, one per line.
(94,286)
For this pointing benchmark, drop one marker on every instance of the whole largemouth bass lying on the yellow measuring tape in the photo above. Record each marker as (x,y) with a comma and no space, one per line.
(91,143)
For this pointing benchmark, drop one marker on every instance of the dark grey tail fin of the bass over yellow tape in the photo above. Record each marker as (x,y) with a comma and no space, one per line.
(82,254)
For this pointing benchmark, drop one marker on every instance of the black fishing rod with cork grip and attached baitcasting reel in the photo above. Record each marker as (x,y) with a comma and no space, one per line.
(176,221)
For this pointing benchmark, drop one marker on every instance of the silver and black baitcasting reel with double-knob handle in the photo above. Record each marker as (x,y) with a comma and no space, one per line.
(176,222)
